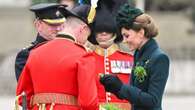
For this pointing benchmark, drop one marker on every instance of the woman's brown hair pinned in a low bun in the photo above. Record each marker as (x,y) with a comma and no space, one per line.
(146,22)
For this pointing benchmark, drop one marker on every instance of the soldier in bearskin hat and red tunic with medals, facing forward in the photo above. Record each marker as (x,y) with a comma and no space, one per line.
(109,57)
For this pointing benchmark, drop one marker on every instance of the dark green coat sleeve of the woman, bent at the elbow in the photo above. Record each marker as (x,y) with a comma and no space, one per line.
(157,82)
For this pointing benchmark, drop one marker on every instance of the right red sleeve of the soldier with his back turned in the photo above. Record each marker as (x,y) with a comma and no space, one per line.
(87,83)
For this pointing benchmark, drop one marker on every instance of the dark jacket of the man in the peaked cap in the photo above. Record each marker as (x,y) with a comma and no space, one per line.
(22,56)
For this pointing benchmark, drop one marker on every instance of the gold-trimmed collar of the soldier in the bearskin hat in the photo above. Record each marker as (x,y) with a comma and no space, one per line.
(106,52)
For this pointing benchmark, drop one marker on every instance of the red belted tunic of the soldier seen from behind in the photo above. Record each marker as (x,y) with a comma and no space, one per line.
(57,68)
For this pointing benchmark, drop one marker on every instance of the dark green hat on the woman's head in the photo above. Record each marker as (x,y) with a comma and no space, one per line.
(126,16)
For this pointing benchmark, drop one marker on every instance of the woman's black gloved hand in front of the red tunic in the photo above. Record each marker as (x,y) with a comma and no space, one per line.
(111,83)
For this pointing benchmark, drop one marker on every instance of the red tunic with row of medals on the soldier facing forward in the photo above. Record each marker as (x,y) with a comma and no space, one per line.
(113,61)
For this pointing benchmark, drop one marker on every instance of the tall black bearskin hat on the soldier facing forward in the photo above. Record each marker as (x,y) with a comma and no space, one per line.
(105,20)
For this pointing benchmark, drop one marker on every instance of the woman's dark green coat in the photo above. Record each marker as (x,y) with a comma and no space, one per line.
(147,94)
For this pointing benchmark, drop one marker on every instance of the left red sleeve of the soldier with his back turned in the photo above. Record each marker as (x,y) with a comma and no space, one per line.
(25,84)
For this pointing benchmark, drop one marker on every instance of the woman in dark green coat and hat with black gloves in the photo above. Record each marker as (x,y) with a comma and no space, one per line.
(151,64)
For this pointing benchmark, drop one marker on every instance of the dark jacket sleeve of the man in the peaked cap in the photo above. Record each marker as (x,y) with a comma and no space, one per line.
(20,61)
